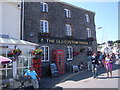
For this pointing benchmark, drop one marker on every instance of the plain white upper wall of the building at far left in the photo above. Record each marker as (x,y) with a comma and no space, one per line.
(11,19)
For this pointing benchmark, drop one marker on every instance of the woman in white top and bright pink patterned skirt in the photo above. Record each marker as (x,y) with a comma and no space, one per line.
(108,61)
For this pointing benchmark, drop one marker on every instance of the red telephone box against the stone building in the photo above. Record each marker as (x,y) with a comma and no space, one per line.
(59,58)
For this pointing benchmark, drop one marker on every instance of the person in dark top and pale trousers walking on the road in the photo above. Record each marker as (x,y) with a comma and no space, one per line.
(95,64)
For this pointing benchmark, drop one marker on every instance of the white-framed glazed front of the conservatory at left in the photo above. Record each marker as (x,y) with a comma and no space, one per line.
(17,66)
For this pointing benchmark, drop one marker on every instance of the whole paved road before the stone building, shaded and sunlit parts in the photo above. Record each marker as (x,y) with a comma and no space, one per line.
(78,80)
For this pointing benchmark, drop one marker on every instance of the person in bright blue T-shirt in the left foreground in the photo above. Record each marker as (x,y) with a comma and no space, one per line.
(34,77)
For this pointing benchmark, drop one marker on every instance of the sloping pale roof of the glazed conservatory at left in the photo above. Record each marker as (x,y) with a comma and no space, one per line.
(6,40)
